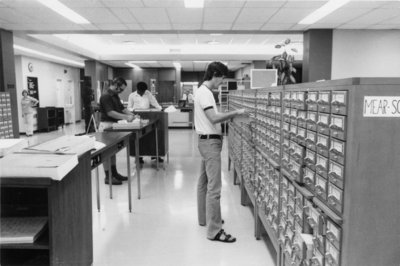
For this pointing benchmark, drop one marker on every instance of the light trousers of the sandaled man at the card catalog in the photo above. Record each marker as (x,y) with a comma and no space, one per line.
(209,186)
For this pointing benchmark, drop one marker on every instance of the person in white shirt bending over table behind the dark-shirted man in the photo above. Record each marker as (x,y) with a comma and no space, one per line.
(142,99)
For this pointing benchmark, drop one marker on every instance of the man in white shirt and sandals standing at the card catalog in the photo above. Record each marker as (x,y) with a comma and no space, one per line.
(207,122)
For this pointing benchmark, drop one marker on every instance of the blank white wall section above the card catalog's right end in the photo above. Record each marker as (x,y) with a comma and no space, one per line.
(365,53)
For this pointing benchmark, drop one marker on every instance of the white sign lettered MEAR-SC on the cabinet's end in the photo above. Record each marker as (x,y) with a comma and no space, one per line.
(381,106)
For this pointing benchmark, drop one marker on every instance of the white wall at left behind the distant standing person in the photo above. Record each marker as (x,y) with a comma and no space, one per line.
(48,73)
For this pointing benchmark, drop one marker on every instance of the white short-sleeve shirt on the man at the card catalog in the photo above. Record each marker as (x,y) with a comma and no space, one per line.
(203,100)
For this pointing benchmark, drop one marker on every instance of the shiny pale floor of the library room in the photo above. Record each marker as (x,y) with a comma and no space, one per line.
(162,228)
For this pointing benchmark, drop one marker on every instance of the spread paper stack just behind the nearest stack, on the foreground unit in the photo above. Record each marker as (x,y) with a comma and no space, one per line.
(66,144)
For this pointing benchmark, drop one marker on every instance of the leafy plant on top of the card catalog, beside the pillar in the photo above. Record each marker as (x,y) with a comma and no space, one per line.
(283,63)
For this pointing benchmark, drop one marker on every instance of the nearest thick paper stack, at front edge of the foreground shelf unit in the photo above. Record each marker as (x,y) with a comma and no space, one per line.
(54,166)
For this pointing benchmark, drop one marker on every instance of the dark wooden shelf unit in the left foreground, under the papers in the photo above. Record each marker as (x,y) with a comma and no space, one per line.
(68,239)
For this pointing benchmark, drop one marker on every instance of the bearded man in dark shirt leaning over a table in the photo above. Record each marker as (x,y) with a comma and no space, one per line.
(112,110)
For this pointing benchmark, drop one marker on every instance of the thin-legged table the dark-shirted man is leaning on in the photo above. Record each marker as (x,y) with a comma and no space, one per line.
(137,134)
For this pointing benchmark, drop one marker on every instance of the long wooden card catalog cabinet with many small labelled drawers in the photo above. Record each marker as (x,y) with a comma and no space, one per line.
(319,163)
